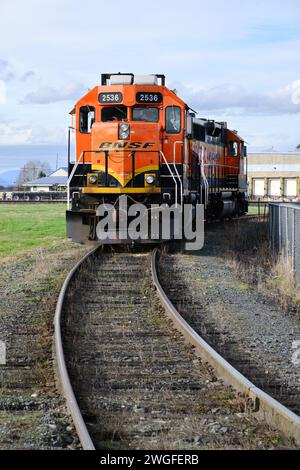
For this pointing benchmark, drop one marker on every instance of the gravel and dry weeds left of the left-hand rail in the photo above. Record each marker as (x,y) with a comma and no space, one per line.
(32,414)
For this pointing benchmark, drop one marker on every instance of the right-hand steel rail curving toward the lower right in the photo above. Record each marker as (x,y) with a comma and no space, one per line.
(274,413)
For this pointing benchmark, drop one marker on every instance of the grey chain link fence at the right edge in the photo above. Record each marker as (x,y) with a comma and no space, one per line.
(284,231)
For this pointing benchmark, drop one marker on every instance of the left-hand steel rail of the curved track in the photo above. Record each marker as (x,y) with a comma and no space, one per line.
(83,434)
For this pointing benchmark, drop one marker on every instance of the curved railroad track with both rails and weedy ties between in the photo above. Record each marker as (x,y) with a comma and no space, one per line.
(136,378)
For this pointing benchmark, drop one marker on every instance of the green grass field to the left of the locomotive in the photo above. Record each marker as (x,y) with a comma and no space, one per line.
(27,226)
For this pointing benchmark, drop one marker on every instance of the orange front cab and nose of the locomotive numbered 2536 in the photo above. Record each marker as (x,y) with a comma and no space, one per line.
(122,133)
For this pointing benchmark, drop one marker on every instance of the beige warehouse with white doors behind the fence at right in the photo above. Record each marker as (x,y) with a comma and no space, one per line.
(274,175)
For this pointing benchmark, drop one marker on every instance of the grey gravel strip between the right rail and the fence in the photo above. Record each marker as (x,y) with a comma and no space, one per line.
(249,329)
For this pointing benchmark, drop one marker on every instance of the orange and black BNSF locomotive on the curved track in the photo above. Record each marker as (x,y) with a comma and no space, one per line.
(134,136)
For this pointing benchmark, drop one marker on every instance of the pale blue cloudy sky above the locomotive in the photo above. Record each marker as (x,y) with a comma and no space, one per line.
(229,60)
